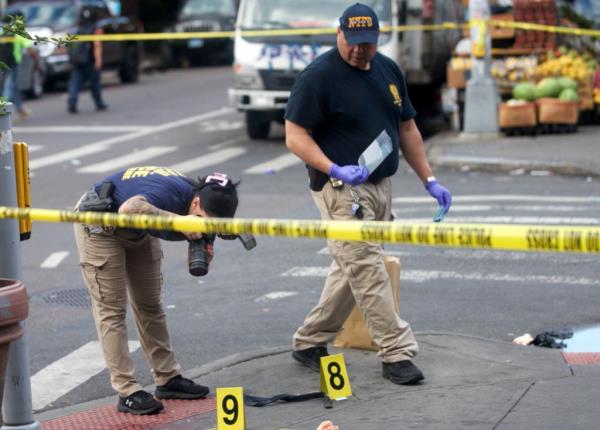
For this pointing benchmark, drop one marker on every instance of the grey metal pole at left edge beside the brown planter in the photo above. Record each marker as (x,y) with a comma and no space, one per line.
(16,403)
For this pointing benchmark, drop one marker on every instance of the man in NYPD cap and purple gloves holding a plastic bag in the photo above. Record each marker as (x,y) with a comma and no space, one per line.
(339,104)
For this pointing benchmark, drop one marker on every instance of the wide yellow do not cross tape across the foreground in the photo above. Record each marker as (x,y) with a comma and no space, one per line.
(488,236)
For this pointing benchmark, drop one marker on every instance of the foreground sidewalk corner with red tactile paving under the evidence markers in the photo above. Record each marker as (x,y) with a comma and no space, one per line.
(471,383)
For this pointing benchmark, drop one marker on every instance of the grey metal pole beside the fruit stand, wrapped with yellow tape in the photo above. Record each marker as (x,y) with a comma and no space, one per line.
(481,101)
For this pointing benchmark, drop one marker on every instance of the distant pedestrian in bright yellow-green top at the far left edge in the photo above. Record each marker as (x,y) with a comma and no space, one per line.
(12,56)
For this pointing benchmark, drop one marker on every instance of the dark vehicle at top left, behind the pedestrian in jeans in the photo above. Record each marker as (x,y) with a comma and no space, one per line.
(56,18)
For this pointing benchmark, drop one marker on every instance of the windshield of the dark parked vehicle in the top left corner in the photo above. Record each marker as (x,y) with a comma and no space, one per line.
(54,14)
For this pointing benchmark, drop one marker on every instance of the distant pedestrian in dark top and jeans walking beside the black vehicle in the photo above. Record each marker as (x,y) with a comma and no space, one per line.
(86,62)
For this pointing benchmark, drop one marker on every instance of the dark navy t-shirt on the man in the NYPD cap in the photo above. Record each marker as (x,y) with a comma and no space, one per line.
(346,107)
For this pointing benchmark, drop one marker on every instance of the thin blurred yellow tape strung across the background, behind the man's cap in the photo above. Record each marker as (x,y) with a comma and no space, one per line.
(312,31)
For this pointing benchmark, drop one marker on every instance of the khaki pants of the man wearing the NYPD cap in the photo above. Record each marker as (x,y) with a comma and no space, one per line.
(357,274)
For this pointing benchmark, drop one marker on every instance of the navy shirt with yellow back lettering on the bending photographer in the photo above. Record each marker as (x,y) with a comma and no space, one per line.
(162,187)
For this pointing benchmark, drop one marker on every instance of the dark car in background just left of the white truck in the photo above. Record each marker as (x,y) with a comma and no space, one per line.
(201,16)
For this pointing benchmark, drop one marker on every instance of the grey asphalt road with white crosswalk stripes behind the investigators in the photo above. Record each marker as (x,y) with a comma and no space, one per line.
(256,299)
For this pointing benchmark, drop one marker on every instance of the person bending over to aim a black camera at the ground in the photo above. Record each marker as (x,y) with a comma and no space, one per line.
(118,263)
